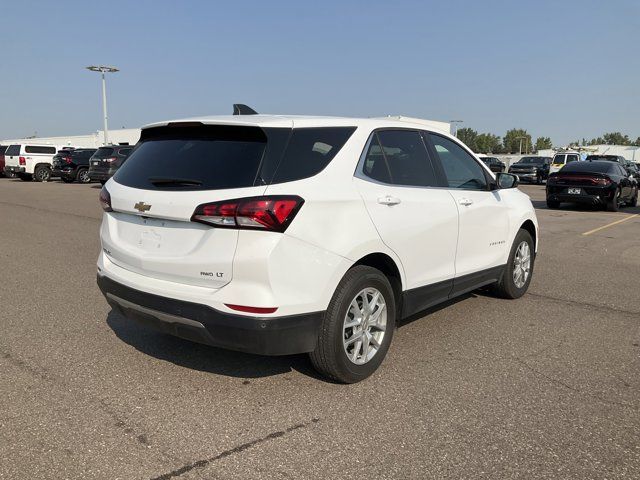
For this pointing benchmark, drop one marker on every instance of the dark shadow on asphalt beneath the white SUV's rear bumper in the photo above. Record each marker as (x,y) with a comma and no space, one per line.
(203,357)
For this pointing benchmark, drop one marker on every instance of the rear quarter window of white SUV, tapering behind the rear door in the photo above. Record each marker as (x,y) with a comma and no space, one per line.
(309,151)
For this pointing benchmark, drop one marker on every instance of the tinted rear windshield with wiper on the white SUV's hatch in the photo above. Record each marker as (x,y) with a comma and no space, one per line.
(195,158)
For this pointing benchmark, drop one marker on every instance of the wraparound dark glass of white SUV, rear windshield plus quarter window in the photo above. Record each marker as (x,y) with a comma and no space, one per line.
(221,157)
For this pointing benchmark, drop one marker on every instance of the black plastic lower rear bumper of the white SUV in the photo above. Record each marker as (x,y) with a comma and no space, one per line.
(203,324)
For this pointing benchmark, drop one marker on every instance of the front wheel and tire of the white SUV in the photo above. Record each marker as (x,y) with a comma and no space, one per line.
(519,269)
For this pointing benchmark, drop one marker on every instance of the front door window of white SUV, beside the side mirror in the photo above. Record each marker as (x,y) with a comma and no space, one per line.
(460,168)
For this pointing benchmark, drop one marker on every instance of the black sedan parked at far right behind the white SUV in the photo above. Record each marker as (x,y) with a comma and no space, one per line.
(603,183)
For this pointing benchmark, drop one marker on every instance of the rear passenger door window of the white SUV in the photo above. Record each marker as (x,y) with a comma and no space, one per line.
(399,157)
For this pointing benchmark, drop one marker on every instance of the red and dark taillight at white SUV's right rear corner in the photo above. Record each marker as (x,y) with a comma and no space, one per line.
(272,213)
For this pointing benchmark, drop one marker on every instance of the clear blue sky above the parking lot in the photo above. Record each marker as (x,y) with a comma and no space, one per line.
(564,69)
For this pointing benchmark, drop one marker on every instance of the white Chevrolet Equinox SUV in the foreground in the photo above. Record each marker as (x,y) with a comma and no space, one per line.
(279,235)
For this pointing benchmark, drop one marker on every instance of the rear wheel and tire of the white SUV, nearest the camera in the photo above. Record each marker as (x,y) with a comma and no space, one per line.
(349,323)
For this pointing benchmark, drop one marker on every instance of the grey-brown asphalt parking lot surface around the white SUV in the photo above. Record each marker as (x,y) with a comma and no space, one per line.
(543,387)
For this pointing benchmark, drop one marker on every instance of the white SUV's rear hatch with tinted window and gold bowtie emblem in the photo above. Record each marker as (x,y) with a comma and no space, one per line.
(155,193)
